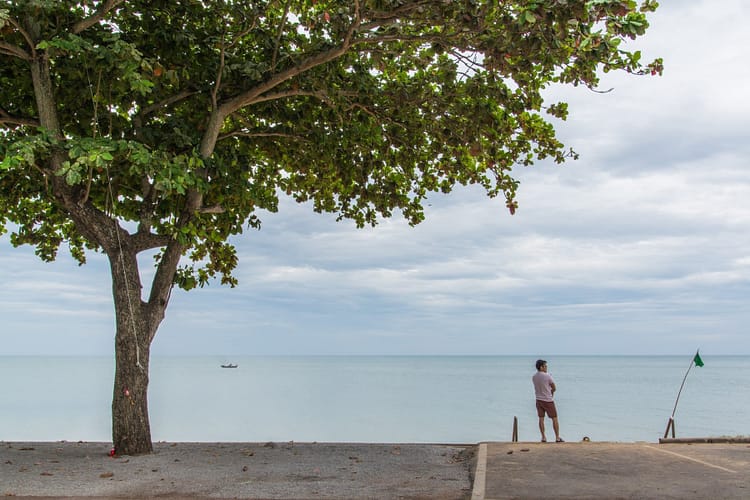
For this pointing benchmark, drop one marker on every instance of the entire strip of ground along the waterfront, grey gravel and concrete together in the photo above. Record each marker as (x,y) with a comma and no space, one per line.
(383,471)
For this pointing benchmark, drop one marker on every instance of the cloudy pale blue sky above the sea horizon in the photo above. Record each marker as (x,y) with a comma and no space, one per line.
(642,246)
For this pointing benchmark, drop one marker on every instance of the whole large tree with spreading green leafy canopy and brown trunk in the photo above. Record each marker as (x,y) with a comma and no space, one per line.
(130,126)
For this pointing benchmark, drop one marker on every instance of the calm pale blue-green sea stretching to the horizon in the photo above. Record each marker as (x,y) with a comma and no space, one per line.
(446,399)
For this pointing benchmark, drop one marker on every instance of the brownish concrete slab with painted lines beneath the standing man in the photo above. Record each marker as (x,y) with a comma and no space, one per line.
(612,471)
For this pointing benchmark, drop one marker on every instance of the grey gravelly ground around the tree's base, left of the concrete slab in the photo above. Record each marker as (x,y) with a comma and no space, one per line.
(239,470)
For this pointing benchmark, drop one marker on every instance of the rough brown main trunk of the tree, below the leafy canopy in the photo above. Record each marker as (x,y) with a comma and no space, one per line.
(131,431)
